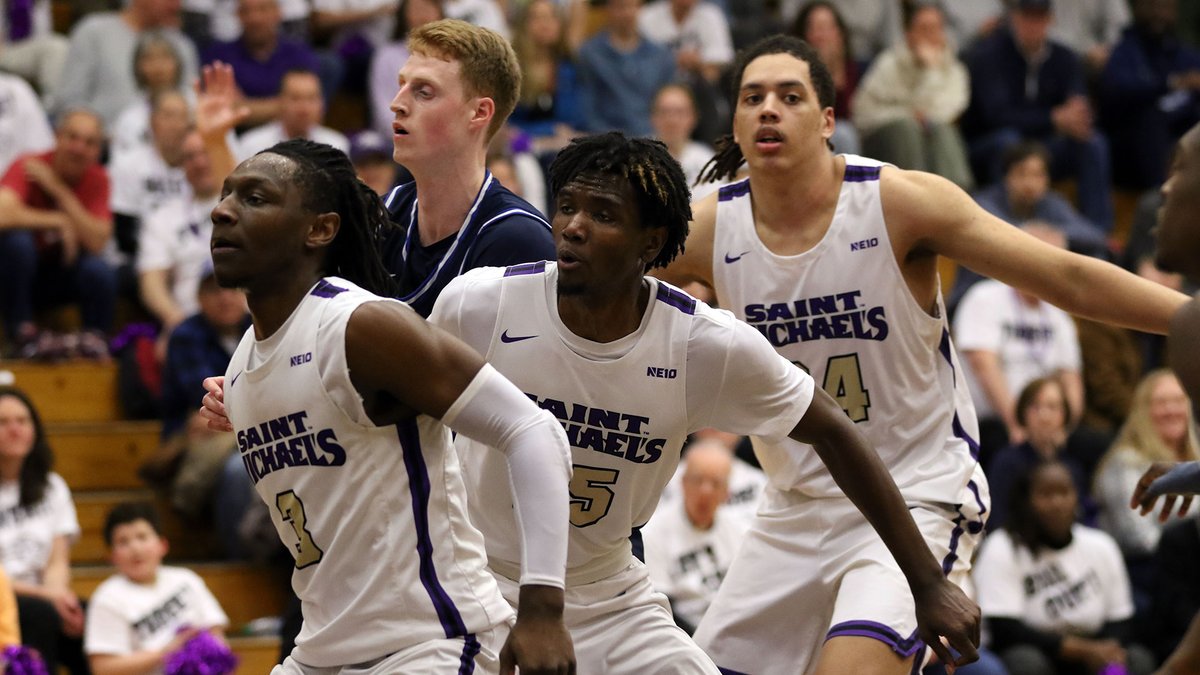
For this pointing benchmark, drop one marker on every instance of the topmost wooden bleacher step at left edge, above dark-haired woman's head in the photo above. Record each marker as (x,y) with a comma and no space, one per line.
(77,391)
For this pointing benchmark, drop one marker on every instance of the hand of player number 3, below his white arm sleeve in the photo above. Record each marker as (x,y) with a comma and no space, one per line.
(539,642)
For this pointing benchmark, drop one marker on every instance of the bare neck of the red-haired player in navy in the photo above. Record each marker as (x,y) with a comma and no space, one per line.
(445,198)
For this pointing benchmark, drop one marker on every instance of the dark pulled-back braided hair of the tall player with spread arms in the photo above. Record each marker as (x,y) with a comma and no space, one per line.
(728,159)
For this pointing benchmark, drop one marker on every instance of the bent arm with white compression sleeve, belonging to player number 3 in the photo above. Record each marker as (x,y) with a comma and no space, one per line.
(403,366)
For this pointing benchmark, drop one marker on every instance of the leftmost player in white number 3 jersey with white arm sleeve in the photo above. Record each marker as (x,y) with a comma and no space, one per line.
(337,396)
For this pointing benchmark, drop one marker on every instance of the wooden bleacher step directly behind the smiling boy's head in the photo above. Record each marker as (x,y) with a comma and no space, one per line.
(188,541)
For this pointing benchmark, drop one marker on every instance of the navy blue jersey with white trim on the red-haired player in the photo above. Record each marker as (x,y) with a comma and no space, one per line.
(502,230)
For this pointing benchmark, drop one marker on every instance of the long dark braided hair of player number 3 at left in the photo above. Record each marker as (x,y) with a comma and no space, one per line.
(328,183)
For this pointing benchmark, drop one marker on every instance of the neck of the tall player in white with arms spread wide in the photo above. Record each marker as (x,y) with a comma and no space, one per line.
(783,198)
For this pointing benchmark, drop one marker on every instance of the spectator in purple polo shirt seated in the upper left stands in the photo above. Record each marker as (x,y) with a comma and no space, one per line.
(262,57)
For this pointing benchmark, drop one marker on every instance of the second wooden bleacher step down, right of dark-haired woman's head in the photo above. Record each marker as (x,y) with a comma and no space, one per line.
(103,456)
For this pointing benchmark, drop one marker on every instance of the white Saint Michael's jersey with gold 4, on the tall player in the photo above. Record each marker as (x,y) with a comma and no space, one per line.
(844,312)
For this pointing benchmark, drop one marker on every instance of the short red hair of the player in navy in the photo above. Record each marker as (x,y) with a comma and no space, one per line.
(488,63)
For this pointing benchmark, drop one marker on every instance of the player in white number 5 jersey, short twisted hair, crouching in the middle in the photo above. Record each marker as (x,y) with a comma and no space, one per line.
(631,366)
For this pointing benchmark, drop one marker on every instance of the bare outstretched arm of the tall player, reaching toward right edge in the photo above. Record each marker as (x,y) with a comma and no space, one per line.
(929,214)
